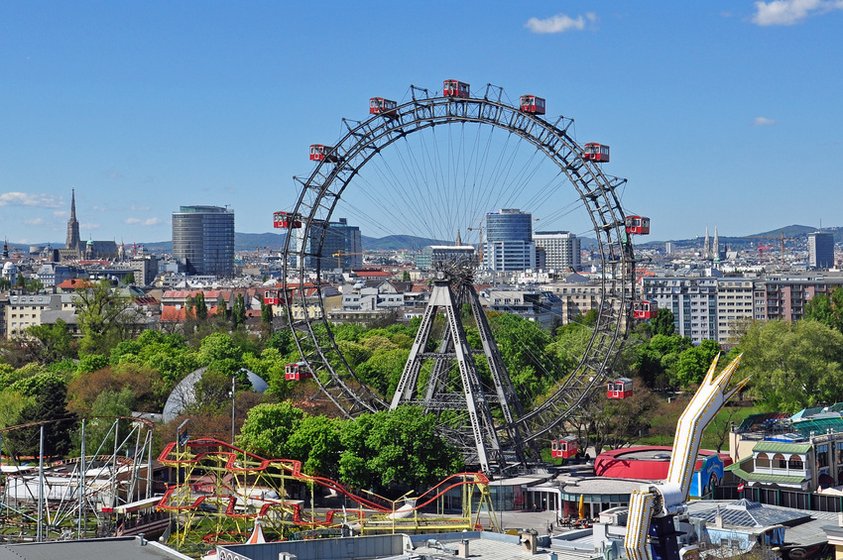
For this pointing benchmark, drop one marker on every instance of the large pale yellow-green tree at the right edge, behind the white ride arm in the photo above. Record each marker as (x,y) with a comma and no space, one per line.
(794,365)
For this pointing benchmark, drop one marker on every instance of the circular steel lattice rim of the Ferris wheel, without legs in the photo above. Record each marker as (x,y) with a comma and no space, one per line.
(322,190)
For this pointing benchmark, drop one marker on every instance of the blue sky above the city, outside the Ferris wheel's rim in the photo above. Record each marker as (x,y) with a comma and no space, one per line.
(722,113)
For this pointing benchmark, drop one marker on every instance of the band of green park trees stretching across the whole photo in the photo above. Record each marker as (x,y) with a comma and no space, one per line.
(109,369)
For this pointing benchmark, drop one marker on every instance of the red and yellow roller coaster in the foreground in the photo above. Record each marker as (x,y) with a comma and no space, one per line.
(225,490)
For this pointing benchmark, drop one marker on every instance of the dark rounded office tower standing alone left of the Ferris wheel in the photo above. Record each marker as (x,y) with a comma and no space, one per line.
(203,240)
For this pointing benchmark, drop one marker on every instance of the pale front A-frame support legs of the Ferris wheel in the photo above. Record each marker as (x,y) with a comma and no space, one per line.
(482,427)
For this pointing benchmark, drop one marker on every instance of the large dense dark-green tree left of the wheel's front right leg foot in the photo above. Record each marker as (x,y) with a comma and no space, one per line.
(396,450)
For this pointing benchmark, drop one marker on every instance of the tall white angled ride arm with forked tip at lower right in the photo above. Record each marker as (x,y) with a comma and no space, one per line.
(653,507)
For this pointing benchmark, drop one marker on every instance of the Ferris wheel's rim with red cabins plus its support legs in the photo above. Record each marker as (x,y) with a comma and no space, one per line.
(497,432)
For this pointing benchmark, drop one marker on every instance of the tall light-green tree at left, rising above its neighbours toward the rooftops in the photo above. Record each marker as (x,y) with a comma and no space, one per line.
(105,317)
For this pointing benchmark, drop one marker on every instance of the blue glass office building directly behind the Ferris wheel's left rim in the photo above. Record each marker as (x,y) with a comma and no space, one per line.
(331,245)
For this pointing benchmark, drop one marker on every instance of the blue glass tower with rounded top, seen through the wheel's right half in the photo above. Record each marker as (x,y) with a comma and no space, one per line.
(509,241)
